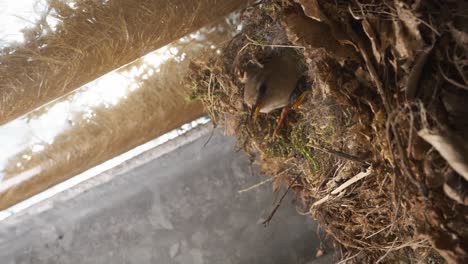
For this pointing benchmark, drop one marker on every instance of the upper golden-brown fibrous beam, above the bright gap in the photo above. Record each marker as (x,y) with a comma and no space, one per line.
(93,38)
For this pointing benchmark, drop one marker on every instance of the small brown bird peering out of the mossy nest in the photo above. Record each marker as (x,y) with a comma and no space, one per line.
(277,83)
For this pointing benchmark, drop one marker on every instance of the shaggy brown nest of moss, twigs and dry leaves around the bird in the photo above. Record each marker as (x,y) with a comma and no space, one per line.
(358,152)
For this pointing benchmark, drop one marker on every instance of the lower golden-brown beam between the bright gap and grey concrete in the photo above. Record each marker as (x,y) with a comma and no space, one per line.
(144,115)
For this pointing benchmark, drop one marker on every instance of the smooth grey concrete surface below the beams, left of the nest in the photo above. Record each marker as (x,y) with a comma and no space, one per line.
(182,207)
